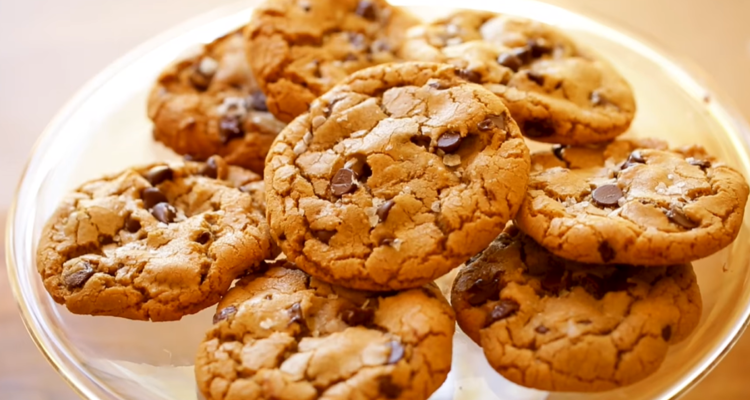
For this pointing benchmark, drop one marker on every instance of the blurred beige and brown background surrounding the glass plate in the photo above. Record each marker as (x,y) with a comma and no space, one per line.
(50,48)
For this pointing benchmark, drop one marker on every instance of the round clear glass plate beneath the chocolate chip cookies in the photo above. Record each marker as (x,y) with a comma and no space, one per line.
(105,129)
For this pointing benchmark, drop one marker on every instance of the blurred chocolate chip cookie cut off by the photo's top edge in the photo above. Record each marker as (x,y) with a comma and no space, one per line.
(299,49)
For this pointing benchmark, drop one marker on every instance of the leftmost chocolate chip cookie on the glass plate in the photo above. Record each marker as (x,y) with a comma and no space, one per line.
(153,243)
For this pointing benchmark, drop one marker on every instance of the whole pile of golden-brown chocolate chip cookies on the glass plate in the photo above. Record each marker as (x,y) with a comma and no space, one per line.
(391,154)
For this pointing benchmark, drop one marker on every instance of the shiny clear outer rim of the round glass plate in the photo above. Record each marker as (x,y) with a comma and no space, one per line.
(720,107)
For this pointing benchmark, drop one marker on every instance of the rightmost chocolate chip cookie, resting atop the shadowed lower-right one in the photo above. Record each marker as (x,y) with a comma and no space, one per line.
(632,202)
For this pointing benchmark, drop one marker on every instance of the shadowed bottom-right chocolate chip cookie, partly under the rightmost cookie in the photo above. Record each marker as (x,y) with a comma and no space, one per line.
(557,325)
